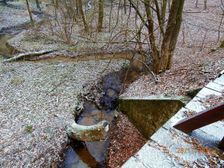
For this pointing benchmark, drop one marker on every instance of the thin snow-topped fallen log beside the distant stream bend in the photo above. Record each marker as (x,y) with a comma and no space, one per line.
(26,56)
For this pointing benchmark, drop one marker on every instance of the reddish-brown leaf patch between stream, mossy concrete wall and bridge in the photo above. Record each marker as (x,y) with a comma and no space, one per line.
(125,141)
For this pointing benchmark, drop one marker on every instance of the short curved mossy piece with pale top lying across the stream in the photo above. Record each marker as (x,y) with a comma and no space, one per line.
(91,133)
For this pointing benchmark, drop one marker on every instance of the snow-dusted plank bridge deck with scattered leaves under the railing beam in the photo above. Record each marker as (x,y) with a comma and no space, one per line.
(169,147)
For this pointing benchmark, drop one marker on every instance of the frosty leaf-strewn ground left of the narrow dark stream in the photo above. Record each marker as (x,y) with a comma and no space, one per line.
(37,102)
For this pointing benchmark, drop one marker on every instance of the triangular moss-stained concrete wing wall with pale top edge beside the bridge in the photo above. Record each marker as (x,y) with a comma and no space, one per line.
(149,113)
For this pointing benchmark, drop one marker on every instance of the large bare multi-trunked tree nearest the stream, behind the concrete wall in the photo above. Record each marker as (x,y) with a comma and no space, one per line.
(162,52)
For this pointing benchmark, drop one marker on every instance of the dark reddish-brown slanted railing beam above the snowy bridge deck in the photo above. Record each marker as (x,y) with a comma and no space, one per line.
(201,119)
